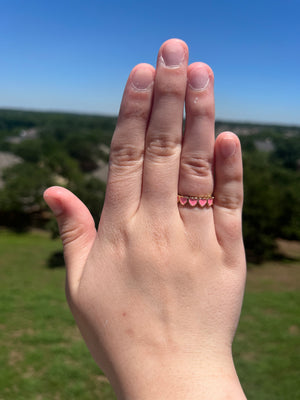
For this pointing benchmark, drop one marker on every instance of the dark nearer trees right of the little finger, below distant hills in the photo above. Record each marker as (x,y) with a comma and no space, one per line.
(271,207)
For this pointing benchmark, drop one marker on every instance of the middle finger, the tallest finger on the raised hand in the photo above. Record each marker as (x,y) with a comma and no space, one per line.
(164,134)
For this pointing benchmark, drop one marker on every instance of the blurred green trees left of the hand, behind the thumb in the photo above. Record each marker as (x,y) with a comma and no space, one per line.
(61,149)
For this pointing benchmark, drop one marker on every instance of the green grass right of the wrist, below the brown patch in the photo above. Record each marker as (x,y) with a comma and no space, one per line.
(267,347)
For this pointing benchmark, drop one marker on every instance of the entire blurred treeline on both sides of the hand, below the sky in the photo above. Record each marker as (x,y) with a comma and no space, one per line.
(67,149)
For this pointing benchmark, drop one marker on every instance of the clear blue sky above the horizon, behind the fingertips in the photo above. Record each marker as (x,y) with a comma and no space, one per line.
(76,55)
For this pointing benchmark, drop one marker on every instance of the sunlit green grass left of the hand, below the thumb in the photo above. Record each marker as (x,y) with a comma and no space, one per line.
(42,352)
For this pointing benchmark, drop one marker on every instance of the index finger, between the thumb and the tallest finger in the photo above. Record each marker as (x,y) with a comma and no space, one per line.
(124,184)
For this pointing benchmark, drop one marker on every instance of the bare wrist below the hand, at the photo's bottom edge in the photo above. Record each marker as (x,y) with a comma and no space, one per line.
(178,379)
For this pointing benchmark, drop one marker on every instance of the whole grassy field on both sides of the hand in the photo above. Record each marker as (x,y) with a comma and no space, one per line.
(43,356)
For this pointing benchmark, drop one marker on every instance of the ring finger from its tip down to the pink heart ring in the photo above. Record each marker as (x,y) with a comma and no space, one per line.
(196,176)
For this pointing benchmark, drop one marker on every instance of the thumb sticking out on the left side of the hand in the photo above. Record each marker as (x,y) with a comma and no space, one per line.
(76,227)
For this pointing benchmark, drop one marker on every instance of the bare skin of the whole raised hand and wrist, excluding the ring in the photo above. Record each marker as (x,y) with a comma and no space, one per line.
(157,290)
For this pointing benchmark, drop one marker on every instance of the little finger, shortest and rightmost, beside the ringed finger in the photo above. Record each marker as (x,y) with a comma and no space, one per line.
(228,190)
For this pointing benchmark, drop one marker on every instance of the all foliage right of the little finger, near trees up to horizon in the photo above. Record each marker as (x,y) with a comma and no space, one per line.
(272,187)
